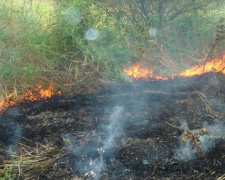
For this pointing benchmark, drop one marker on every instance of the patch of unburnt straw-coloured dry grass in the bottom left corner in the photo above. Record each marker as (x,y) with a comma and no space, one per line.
(27,159)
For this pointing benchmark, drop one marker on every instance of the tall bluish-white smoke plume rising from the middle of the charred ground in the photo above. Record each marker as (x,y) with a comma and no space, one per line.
(93,156)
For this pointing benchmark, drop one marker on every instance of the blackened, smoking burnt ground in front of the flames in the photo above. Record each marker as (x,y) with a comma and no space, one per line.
(131,131)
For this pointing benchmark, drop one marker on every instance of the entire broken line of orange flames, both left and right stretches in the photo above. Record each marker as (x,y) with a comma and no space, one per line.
(135,71)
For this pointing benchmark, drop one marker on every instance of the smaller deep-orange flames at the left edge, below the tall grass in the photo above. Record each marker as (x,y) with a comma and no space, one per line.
(30,95)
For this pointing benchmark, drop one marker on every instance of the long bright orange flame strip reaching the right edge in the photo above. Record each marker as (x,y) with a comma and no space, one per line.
(137,72)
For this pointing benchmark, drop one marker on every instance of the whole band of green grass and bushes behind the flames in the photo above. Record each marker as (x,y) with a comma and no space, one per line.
(51,41)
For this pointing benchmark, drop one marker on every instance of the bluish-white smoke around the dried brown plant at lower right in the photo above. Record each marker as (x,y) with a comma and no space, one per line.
(215,133)
